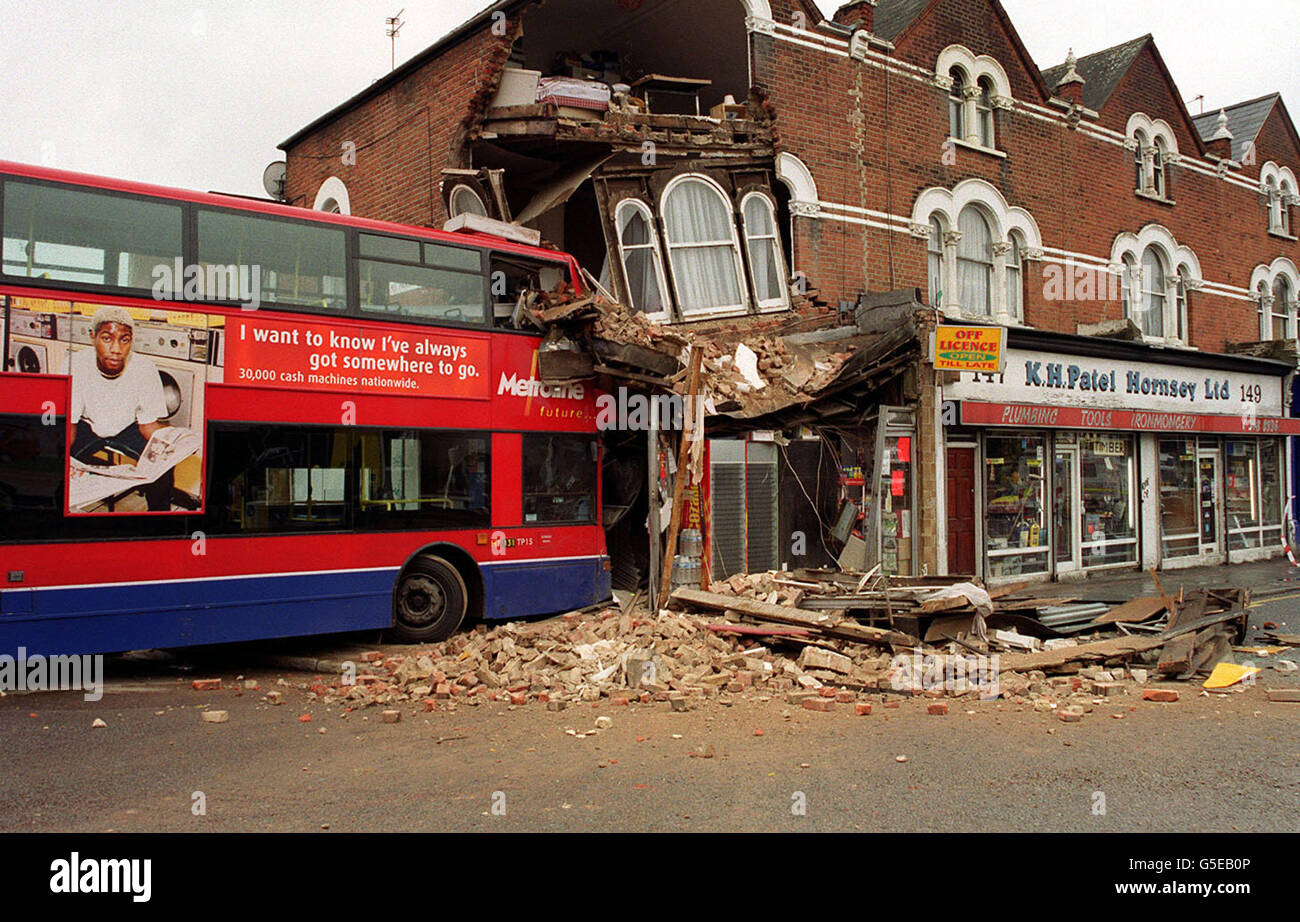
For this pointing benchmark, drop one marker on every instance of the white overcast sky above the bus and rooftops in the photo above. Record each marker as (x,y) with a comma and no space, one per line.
(200,94)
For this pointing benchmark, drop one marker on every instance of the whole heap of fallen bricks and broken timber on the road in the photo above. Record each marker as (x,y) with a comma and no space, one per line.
(756,637)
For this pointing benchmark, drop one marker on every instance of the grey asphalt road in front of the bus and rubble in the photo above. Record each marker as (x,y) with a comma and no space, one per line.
(1221,764)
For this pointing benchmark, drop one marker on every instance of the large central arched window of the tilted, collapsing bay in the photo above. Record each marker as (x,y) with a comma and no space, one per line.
(703,248)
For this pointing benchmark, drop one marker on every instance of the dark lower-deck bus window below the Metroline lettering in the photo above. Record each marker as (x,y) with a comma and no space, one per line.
(560,481)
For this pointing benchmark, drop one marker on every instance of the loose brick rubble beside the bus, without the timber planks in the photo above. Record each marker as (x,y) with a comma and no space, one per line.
(606,655)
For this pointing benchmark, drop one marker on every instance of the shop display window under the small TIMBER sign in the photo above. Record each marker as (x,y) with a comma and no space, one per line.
(1110,533)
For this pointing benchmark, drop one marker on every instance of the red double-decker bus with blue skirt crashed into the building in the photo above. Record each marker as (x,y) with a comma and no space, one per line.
(227,419)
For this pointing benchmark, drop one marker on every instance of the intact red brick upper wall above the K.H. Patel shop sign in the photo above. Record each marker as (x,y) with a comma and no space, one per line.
(874,141)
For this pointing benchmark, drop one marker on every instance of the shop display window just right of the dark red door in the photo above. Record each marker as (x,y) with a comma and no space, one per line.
(1015,507)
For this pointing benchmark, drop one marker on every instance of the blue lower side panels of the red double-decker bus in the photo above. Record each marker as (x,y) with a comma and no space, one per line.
(194,613)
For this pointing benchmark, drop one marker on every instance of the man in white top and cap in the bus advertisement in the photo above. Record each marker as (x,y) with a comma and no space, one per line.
(118,401)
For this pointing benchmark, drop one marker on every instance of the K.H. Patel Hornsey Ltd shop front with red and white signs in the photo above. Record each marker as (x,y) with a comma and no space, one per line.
(1094,456)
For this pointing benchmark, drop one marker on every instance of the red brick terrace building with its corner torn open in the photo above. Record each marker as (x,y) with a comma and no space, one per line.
(735,170)
